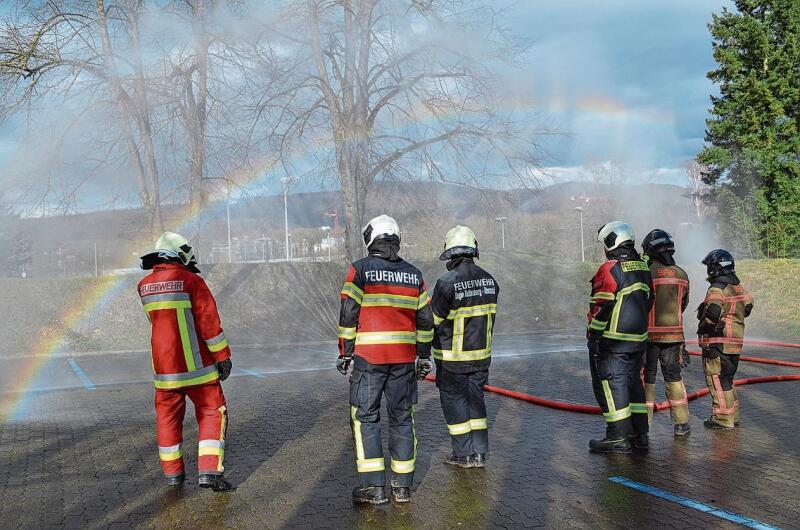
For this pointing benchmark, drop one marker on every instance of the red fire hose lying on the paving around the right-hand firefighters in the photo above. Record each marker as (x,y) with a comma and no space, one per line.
(593,409)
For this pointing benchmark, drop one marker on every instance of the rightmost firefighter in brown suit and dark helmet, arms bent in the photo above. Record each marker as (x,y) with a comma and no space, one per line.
(721,335)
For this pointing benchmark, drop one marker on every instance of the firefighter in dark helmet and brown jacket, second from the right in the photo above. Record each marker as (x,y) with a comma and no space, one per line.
(665,343)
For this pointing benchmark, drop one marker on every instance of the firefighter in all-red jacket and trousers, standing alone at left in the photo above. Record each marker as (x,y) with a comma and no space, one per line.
(190,358)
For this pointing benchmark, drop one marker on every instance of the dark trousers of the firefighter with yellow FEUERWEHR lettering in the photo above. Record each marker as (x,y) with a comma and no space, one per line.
(617,385)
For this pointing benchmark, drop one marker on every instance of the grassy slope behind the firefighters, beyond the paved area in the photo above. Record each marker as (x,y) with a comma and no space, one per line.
(283,303)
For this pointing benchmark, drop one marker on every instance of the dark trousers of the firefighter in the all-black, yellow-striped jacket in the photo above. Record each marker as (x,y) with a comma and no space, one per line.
(464,409)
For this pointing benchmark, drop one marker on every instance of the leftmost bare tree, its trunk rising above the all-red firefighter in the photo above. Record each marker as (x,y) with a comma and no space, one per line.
(67,50)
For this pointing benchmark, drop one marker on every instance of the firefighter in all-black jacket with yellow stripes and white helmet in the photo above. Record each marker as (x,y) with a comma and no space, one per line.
(464,305)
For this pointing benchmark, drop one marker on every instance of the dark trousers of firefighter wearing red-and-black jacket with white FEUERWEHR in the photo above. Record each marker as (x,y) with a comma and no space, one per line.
(368,384)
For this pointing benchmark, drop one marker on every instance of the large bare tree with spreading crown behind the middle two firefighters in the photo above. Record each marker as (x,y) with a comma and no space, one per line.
(394,90)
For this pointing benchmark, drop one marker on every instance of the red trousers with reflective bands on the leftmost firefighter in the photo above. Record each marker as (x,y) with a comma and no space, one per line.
(212,419)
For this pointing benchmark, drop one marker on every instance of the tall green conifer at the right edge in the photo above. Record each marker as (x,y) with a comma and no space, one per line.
(752,159)
